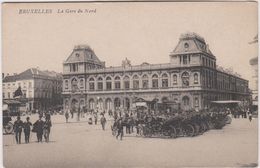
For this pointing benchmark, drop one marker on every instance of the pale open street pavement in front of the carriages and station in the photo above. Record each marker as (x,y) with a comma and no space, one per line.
(78,144)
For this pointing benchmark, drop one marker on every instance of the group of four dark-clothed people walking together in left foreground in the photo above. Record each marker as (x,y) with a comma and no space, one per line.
(40,127)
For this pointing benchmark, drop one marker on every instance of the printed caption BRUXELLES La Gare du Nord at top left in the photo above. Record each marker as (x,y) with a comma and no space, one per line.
(49,11)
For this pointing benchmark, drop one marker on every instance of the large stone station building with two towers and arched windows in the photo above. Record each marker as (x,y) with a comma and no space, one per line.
(191,78)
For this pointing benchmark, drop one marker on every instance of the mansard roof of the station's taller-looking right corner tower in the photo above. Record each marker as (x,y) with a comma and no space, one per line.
(191,43)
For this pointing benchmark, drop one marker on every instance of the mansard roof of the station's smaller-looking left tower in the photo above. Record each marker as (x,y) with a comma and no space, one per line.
(83,53)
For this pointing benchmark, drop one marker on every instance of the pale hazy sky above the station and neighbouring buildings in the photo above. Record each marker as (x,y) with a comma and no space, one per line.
(142,32)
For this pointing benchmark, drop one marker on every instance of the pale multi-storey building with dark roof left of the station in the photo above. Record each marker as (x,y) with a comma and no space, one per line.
(39,89)
